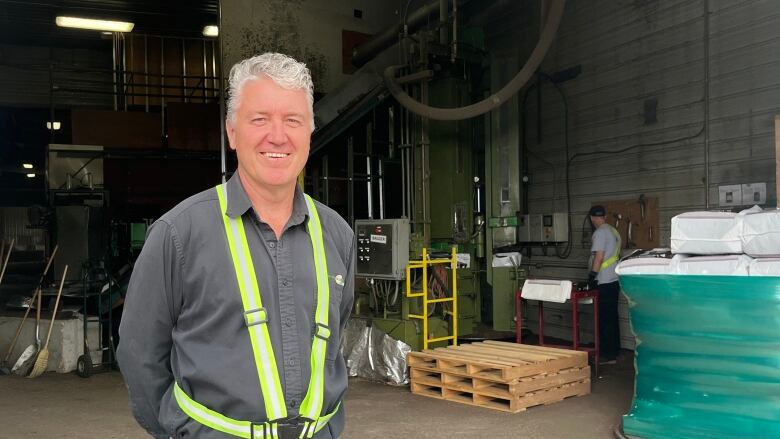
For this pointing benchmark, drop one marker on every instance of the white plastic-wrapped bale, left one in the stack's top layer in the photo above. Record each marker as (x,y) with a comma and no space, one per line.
(706,233)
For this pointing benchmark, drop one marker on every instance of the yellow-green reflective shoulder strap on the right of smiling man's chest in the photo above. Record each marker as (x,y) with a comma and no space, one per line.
(311,407)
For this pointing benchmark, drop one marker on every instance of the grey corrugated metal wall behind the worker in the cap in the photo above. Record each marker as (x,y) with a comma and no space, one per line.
(631,51)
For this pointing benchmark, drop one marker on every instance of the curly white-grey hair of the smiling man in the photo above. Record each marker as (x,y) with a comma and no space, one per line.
(286,72)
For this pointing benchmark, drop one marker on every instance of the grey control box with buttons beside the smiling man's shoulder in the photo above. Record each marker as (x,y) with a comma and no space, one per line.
(382,248)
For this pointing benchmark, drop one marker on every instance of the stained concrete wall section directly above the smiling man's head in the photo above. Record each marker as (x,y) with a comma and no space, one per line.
(309,30)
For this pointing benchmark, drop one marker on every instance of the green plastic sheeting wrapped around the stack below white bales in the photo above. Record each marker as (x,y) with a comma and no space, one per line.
(707,357)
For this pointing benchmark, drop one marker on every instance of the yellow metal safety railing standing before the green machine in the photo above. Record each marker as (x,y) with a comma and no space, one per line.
(423,265)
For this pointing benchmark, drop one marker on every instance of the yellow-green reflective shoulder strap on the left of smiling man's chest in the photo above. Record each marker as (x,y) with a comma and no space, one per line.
(265,361)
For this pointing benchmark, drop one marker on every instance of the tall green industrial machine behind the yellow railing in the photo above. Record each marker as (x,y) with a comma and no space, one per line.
(409,183)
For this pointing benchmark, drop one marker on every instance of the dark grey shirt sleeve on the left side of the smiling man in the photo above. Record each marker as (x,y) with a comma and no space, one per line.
(147,323)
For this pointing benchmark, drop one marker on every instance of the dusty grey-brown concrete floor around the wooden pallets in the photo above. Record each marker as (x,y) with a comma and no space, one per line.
(66,406)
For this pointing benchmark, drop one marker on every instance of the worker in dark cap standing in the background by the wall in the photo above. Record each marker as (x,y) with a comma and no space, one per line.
(605,252)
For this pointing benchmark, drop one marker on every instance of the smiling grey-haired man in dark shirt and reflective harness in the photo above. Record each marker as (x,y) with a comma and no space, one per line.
(235,308)
